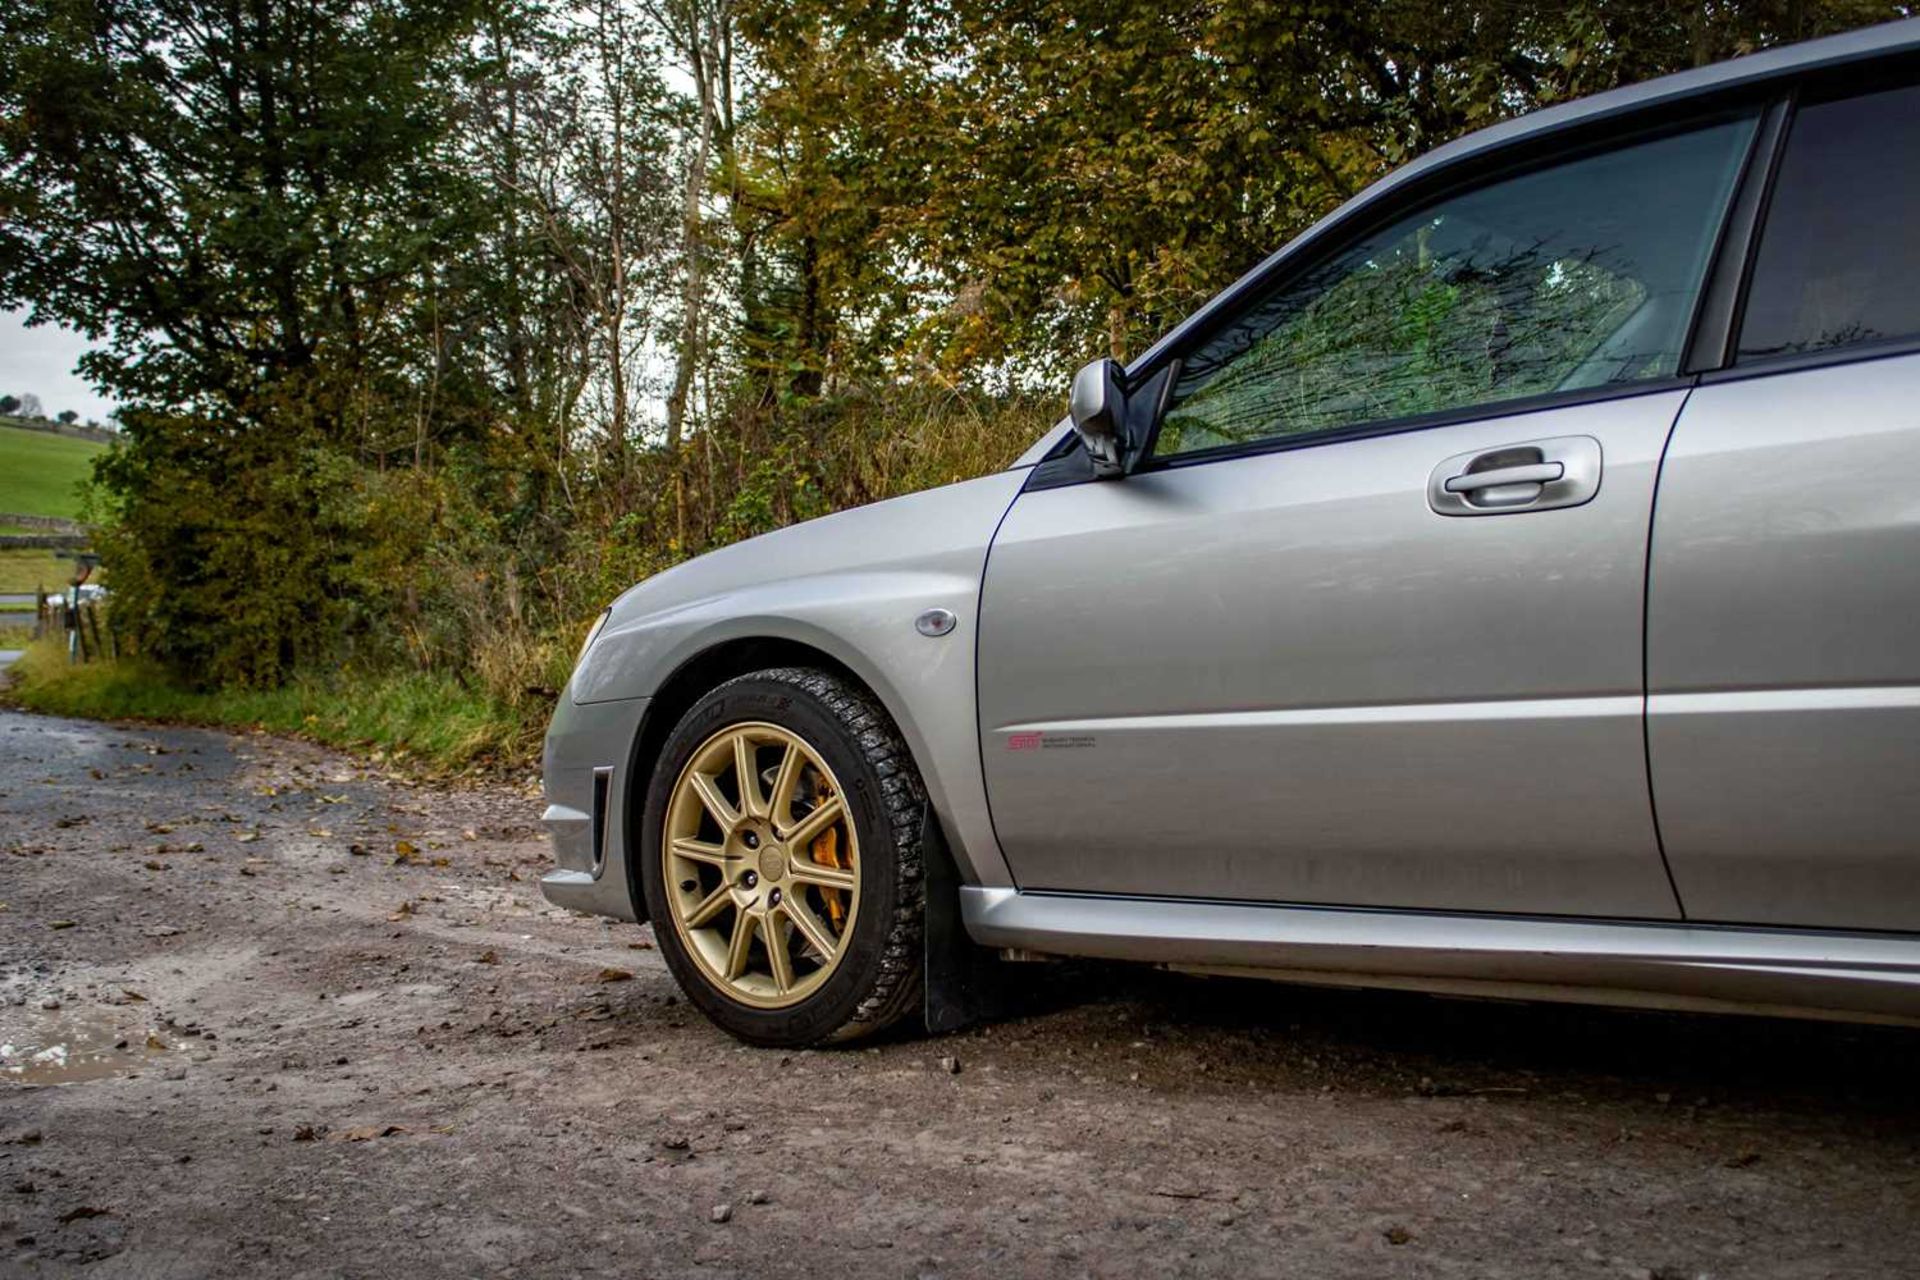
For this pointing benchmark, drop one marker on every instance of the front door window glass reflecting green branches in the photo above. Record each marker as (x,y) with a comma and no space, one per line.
(1560,279)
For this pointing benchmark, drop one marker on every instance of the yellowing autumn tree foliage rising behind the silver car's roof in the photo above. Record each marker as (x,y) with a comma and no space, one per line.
(1019,176)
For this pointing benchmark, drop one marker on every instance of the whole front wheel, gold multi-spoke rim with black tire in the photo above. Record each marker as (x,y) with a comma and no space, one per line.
(780,859)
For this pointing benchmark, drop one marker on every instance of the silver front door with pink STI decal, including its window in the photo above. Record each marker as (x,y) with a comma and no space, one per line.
(1366,627)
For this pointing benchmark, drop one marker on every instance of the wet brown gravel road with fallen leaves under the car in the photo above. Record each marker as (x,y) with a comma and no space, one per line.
(274,1012)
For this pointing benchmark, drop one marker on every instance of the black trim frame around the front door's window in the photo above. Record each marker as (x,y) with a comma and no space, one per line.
(1443,185)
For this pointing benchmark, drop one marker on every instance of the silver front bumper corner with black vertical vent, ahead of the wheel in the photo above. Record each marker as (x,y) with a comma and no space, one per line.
(587,776)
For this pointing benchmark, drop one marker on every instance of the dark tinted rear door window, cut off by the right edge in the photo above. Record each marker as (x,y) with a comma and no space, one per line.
(1840,258)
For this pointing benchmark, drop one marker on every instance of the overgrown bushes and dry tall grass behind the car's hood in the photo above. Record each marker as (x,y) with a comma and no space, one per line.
(251,556)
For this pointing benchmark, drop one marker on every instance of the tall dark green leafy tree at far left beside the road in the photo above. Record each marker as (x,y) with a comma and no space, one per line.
(254,208)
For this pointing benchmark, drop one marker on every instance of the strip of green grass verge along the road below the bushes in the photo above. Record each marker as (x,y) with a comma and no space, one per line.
(429,723)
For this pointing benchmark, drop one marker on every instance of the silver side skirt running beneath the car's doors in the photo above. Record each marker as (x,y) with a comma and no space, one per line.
(1721,968)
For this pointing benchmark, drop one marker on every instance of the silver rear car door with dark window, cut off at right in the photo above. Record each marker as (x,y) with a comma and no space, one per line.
(1785,598)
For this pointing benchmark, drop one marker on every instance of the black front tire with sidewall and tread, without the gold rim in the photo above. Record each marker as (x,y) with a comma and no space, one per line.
(878,980)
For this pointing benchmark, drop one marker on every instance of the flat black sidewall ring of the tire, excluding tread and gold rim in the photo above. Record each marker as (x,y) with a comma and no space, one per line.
(777,701)
